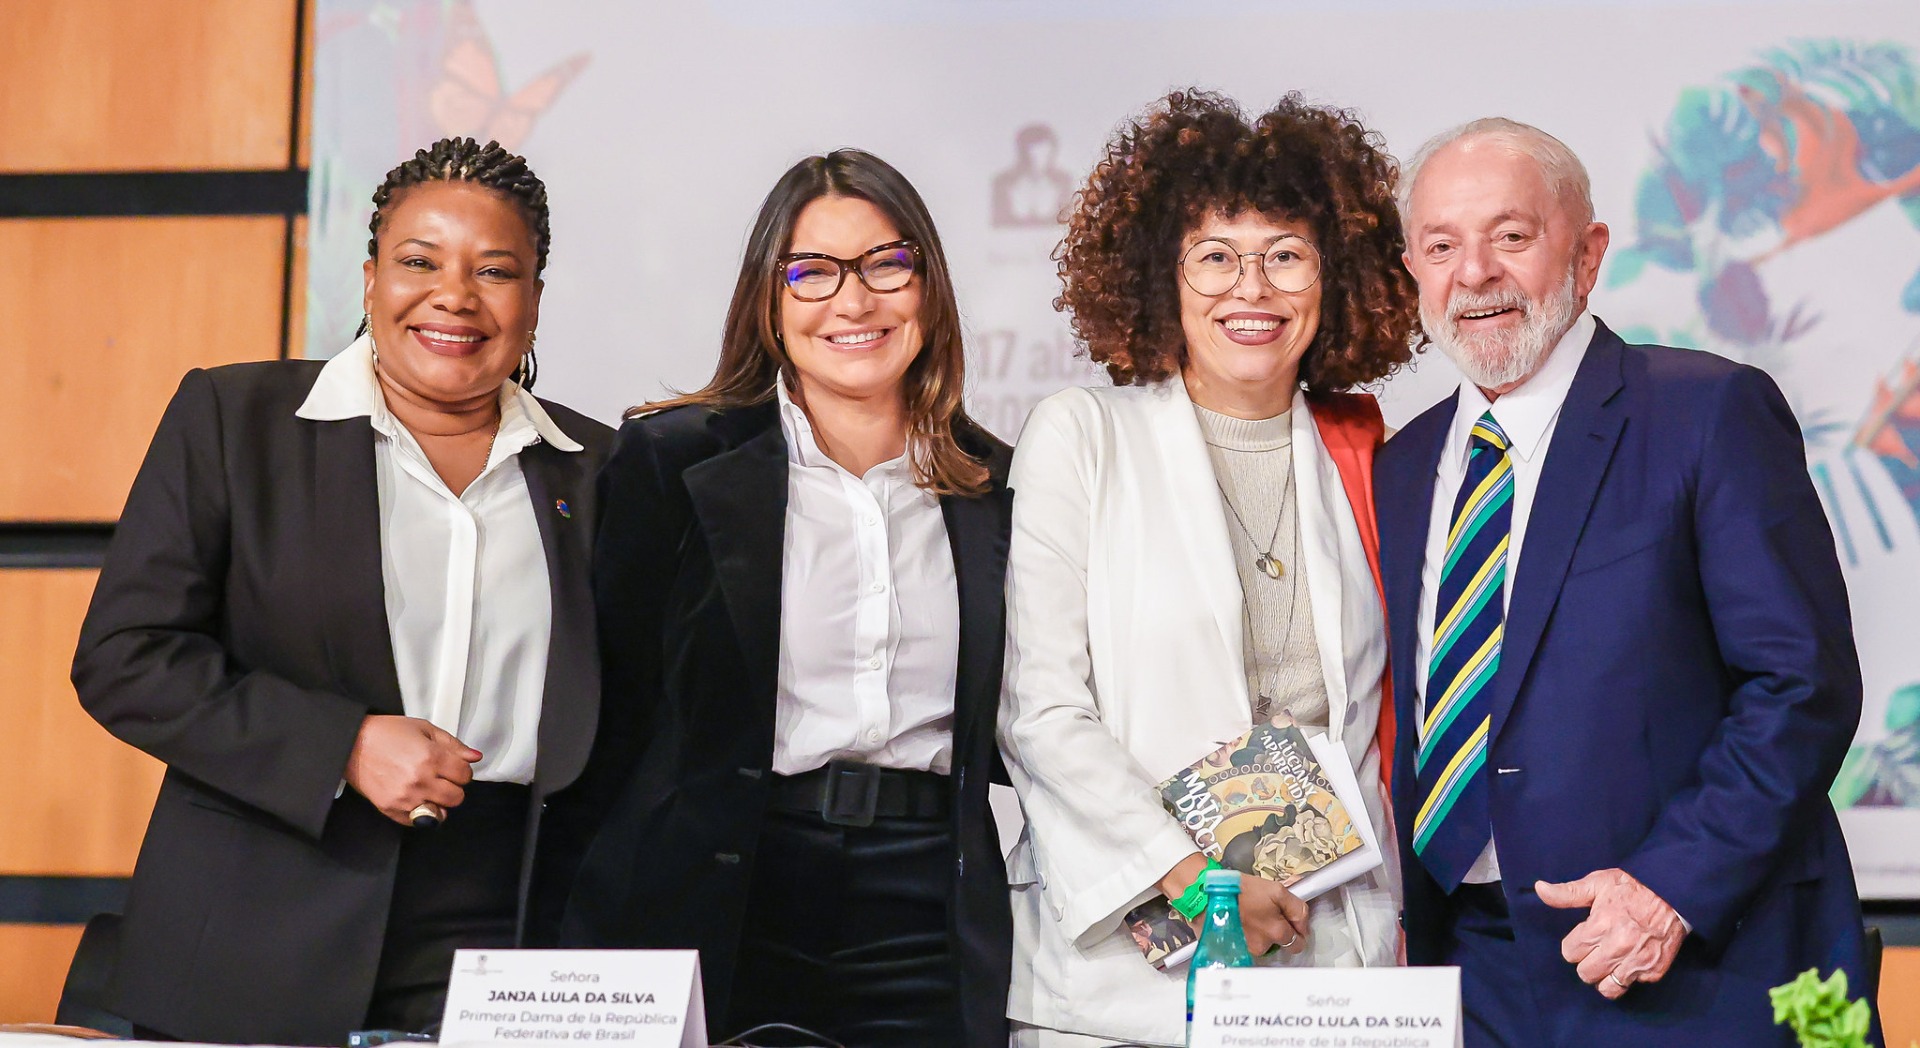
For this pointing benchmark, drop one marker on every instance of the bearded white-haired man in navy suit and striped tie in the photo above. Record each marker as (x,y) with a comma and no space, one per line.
(1623,657)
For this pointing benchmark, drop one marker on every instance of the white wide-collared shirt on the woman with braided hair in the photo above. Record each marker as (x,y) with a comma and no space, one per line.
(468,596)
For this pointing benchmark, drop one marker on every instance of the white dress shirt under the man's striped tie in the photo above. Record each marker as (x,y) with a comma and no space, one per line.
(1527,416)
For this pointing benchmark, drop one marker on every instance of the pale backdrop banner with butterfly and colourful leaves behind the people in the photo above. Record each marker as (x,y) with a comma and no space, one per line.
(1760,166)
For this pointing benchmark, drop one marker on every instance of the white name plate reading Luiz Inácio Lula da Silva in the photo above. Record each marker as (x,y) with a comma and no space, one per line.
(1326,1009)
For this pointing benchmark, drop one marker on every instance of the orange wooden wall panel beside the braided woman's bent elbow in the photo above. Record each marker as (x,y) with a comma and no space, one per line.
(78,798)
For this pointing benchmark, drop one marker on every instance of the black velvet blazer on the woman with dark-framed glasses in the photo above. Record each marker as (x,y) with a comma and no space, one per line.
(686,579)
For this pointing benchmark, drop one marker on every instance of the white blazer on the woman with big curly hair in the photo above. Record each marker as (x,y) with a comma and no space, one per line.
(1126,663)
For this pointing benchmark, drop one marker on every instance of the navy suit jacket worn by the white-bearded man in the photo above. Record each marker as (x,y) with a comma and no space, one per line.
(1675,694)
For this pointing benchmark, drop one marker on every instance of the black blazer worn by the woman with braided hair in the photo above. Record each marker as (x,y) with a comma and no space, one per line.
(239,634)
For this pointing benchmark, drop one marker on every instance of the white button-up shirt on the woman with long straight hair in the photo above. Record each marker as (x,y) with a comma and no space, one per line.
(869,615)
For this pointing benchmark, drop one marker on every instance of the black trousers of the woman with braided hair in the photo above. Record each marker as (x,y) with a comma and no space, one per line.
(458,890)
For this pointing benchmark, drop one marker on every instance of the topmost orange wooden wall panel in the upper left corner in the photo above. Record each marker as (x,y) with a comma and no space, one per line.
(133,85)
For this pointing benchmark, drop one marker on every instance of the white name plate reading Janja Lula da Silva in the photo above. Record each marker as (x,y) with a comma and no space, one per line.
(627,999)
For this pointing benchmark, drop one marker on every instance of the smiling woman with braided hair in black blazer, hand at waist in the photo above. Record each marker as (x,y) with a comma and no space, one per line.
(348,607)
